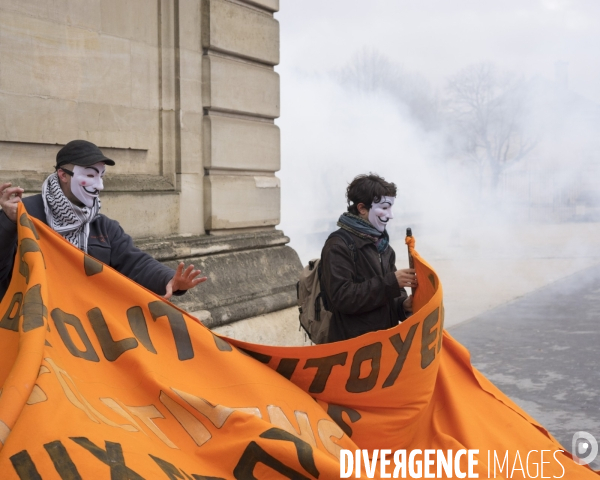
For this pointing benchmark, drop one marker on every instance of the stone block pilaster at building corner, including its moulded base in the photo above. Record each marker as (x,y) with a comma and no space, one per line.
(253,272)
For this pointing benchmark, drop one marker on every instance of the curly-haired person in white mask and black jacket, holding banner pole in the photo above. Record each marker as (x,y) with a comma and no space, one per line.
(362,287)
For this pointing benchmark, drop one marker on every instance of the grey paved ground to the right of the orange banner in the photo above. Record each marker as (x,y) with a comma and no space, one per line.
(543,351)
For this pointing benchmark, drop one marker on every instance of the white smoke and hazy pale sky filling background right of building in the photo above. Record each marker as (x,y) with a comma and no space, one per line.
(488,248)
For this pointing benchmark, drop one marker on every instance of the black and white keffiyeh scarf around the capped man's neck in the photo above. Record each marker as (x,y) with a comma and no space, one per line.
(65,218)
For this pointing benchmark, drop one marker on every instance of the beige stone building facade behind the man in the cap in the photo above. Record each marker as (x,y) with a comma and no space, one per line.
(182,94)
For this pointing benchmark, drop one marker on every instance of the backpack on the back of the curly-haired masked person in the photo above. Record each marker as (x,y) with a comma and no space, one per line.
(315,313)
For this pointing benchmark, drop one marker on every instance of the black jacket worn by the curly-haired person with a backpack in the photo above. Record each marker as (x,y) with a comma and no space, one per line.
(363,295)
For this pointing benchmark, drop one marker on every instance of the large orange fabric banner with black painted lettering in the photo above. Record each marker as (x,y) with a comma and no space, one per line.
(102,379)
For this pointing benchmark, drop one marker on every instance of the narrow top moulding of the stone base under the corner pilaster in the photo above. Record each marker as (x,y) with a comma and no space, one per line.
(204,245)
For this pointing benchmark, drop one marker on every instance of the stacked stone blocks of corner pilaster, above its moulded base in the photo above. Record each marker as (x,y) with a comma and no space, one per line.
(241,100)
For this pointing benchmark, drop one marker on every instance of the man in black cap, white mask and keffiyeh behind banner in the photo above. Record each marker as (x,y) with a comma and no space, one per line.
(70,205)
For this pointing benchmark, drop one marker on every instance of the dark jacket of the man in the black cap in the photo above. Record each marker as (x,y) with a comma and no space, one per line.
(107,242)
